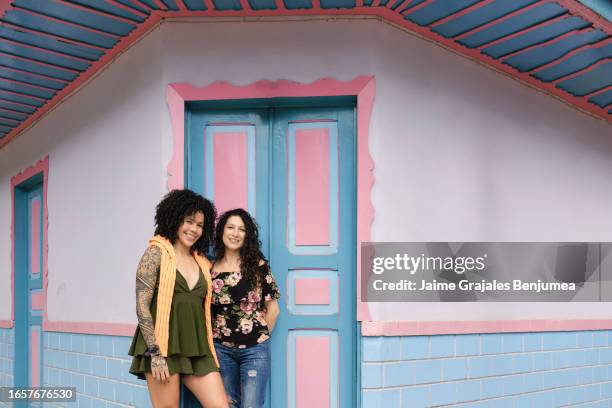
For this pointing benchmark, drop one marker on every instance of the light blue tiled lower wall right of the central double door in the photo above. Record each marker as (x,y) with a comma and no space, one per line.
(488,370)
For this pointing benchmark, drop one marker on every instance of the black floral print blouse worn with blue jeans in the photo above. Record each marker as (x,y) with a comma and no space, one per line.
(238,309)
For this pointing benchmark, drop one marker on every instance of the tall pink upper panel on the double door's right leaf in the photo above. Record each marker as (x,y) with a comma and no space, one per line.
(312,187)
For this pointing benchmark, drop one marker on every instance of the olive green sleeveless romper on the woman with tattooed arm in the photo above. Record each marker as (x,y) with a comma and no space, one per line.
(188,350)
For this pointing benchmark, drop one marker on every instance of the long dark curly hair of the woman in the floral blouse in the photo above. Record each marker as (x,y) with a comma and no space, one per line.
(250,252)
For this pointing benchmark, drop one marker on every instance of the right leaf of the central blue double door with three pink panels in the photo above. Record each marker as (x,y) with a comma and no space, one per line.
(313,254)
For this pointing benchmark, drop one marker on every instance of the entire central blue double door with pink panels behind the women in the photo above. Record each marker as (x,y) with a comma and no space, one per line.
(294,169)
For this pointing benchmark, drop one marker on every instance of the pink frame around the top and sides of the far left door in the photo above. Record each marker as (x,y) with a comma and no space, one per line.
(41,167)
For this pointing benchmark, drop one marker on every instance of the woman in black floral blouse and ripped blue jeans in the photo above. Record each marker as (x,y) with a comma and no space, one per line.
(245,309)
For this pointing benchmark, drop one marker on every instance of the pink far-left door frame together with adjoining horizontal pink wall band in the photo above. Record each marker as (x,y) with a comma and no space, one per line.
(118,329)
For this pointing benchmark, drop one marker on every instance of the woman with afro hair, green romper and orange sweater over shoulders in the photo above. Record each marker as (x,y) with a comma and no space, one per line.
(173,340)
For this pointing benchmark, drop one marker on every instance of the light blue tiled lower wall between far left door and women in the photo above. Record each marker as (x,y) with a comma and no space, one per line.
(97,366)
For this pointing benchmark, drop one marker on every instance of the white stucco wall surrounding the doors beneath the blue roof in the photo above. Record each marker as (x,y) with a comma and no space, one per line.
(461,154)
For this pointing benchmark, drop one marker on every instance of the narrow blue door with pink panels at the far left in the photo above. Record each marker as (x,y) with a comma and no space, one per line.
(29,297)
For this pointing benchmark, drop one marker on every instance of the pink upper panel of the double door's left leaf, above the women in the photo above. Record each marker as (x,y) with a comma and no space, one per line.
(231,173)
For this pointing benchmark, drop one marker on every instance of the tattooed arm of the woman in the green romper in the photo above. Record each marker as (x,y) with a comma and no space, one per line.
(146,277)
